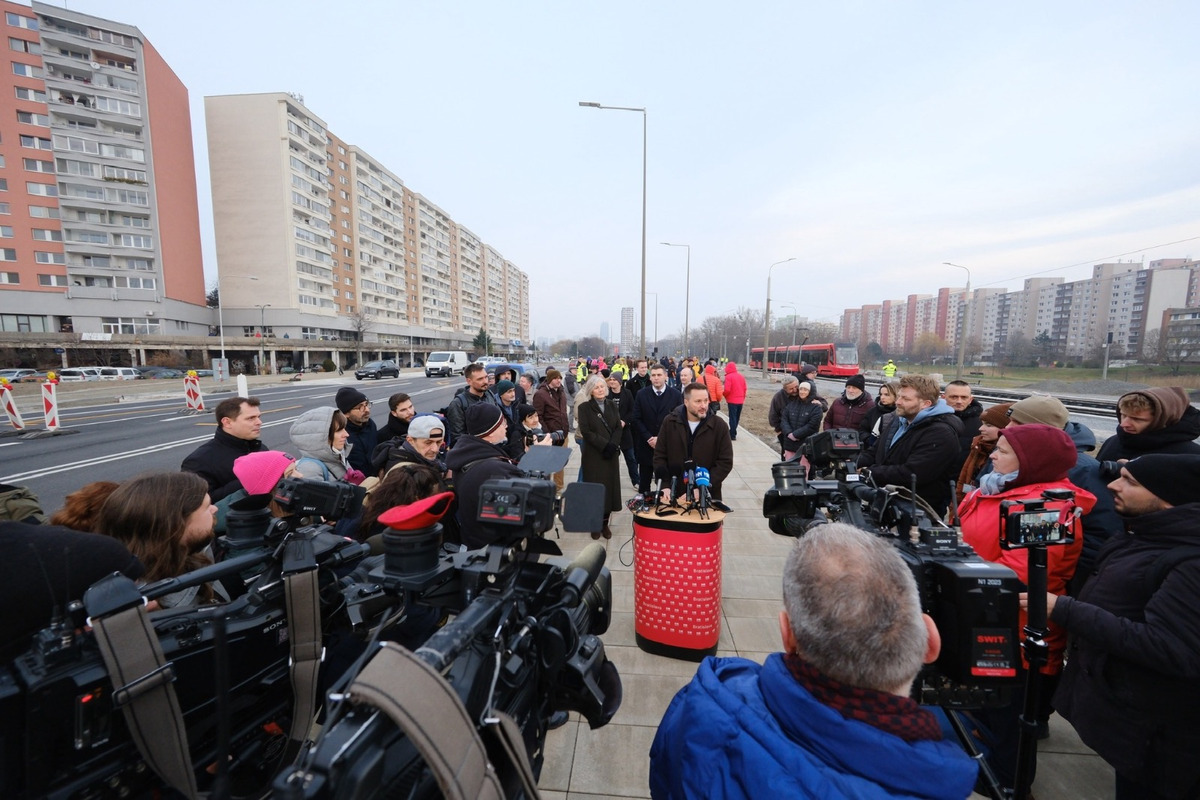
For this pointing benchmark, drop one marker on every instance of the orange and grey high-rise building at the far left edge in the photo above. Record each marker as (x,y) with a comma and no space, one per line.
(99,222)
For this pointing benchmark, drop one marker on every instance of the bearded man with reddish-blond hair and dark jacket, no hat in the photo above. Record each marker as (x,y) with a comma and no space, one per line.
(923,442)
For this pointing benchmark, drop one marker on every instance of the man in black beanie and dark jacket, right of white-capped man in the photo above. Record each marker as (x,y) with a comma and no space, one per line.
(477,458)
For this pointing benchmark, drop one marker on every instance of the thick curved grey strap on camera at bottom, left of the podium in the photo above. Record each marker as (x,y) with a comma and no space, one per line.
(429,712)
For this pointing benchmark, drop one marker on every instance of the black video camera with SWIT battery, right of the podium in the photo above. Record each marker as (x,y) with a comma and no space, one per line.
(974,603)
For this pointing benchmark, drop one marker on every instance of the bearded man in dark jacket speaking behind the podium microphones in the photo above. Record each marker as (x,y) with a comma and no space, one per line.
(693,435)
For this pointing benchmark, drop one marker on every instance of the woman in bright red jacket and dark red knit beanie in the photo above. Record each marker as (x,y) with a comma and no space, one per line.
(1028,461)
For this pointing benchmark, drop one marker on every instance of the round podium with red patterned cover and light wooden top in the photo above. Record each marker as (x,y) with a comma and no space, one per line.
(677,584)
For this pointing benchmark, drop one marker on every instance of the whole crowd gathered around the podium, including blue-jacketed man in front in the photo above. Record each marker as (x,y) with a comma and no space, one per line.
(1124,637)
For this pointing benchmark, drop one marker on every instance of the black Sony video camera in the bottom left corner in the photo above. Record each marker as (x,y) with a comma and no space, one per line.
(64,731)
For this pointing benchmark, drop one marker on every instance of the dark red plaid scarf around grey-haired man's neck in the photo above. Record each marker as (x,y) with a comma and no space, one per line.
(901,717)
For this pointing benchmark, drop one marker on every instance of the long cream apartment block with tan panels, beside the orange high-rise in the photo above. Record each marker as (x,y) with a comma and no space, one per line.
(317,239)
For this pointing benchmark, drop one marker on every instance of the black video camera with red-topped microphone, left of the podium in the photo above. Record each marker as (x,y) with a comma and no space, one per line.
(524,646)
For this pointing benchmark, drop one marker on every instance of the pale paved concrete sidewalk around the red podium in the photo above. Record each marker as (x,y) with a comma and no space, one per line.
(614,762)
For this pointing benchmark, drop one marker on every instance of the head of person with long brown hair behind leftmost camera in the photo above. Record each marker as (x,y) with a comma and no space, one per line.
(167,521)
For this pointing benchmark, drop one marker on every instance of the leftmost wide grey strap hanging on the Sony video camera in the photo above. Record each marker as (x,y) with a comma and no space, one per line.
(143,690)
